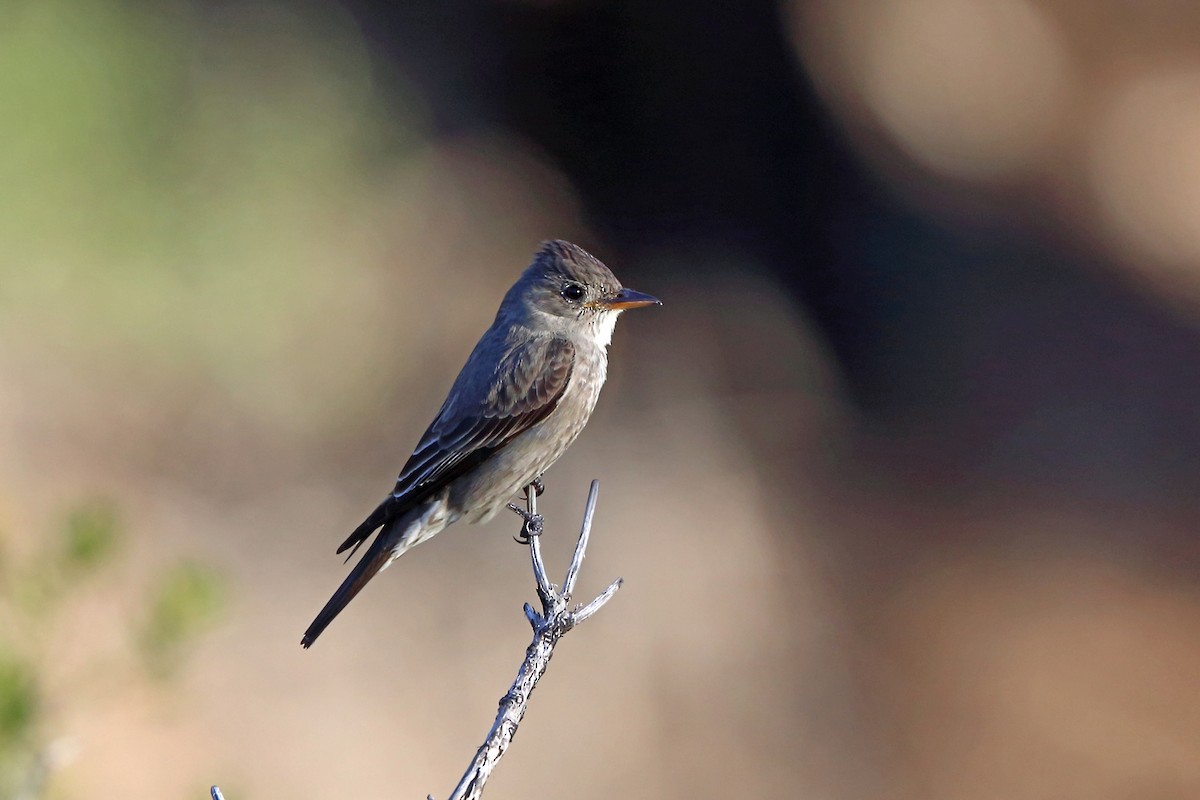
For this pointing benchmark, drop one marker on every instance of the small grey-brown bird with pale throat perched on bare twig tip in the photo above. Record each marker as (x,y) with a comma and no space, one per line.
(524,396)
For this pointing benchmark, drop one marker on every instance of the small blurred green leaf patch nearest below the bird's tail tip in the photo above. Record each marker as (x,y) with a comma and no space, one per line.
(188,601)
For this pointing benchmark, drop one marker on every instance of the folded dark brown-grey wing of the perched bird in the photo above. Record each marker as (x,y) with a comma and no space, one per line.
(478,419)
